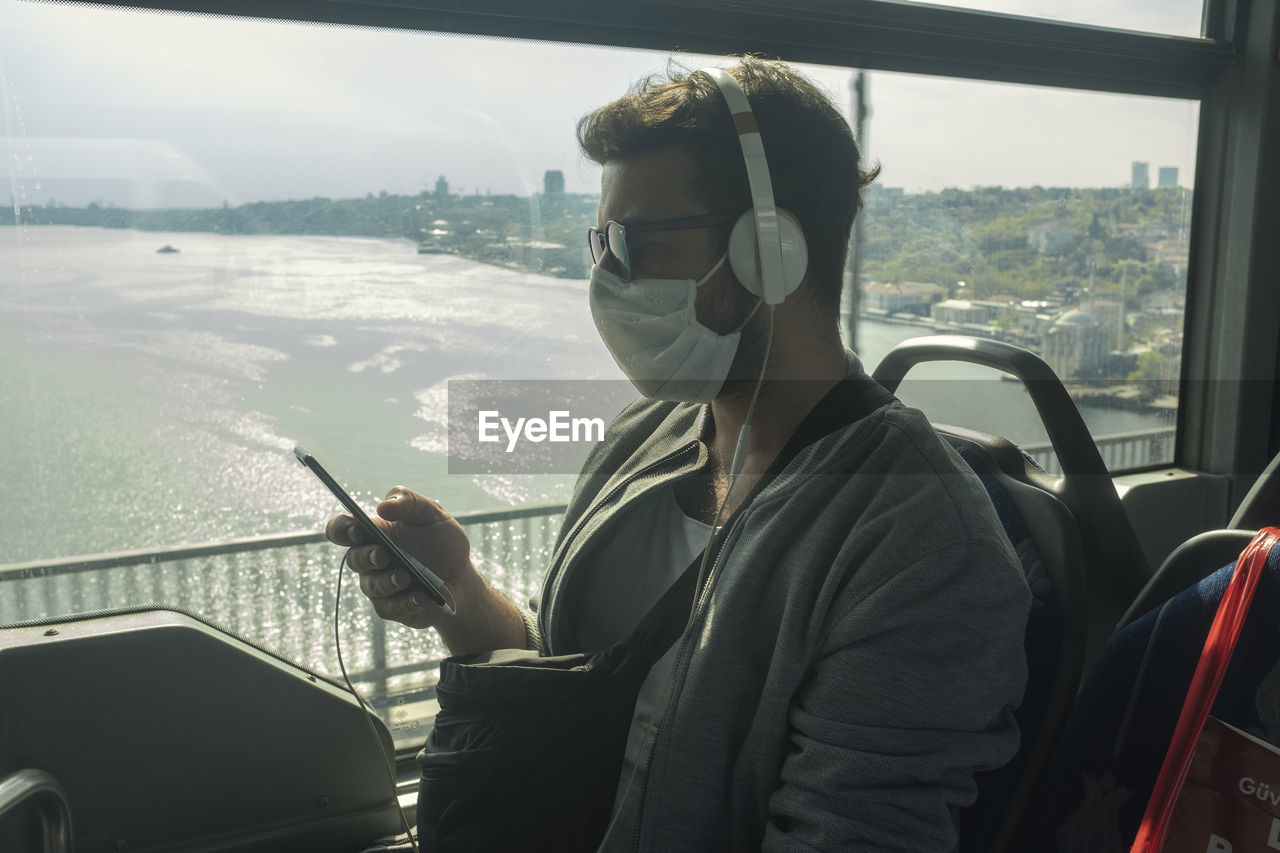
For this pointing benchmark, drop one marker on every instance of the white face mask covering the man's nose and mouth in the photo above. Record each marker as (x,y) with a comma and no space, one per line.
(652,330)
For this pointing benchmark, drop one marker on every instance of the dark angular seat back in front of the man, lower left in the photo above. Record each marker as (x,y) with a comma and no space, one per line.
(168,733)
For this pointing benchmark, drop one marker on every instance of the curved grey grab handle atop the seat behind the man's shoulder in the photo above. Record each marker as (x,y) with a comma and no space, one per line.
(1114,559)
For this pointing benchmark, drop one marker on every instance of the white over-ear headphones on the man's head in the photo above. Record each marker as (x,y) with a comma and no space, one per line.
(767,250)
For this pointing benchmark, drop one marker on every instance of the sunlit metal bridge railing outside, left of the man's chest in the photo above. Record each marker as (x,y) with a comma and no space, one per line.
(278,592)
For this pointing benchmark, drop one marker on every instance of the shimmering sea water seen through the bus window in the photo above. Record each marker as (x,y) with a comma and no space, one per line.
(150,400)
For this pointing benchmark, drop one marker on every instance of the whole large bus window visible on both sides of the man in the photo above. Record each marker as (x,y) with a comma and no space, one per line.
(223,243)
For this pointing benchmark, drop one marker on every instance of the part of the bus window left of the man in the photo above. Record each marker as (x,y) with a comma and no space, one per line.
(222,244)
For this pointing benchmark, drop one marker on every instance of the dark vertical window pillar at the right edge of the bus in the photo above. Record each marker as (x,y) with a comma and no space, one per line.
(1233,304)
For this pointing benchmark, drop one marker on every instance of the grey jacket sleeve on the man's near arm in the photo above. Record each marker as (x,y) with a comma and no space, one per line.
(912,695)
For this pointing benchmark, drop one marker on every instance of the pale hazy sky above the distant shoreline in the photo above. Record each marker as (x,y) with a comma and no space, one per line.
(150,110)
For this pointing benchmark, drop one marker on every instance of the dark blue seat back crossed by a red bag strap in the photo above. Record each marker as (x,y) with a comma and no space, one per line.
(1105,768)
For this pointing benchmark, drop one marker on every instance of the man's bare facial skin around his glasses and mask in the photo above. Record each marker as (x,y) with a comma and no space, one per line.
(656,186)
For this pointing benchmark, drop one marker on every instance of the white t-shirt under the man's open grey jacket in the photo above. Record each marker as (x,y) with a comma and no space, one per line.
(644,556)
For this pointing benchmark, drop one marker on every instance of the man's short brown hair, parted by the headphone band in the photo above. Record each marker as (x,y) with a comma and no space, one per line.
(813,158)
